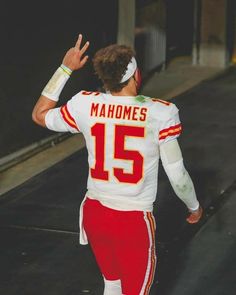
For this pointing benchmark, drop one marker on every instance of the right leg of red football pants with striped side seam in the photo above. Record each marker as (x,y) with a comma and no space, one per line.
(136,254)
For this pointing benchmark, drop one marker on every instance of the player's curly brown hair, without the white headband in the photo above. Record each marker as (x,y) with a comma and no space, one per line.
(110,64)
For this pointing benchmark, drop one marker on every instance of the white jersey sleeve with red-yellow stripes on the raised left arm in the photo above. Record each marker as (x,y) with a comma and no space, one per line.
(62,119)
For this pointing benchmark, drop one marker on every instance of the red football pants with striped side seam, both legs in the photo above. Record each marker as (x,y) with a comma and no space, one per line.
(123,243)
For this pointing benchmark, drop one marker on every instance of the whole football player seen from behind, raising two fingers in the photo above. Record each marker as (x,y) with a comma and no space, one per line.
(126,134)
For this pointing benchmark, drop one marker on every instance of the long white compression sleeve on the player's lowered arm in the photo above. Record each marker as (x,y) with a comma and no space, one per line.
(180,180)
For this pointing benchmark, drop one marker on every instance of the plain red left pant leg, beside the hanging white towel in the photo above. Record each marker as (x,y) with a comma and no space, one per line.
(96,227)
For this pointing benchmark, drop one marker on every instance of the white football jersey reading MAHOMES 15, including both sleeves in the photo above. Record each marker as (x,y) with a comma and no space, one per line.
(122,135)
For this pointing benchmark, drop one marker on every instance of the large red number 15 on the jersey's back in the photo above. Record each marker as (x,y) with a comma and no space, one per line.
(120,153)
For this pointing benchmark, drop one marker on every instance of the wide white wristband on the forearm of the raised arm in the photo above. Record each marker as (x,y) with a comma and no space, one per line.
(55,85)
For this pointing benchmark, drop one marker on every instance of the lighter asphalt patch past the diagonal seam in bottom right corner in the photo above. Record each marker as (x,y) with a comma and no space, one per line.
(207,264)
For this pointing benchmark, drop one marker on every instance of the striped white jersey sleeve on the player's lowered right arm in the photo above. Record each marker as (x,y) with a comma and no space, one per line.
(170,126)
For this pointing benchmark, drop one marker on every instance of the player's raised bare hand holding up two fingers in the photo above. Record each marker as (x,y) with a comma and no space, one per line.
(74,59)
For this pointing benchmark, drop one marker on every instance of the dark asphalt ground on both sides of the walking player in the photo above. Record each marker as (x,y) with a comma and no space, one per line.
(39,249)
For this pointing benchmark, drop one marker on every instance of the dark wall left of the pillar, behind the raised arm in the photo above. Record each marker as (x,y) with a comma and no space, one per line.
(34,38)
